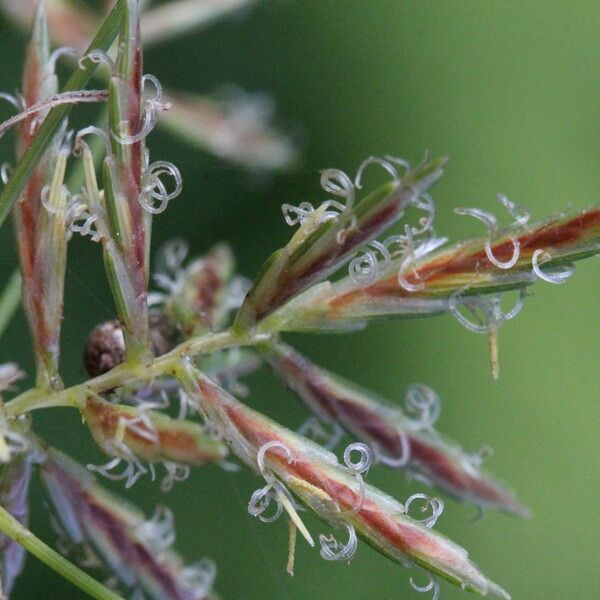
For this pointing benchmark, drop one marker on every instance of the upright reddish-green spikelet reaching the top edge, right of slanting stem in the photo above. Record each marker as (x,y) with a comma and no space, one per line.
(126,253)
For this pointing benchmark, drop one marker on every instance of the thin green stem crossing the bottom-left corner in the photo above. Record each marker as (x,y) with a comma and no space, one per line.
(11,528)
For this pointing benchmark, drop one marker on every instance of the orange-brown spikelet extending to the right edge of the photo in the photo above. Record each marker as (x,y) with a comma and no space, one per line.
(458,271)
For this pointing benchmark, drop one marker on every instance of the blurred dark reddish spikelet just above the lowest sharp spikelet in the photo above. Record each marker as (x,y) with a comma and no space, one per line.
(386,427)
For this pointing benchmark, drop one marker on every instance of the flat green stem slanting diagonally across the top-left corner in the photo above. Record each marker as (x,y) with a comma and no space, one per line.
(78,80)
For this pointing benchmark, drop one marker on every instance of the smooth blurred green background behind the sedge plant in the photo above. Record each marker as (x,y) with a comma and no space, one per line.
(511,92)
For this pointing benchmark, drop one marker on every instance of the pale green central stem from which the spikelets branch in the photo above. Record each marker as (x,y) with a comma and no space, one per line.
(129,372)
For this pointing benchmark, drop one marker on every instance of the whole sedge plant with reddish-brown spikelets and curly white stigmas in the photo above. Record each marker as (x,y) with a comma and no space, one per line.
(164,391)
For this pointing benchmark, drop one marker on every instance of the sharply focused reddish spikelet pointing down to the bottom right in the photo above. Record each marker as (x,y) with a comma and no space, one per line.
(332,491)
